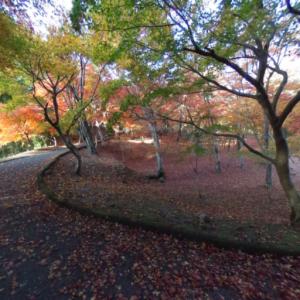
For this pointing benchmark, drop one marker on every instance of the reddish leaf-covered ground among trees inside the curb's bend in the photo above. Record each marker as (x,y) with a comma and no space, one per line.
(122,166)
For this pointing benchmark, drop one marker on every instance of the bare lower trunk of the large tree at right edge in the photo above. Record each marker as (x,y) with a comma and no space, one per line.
(283,171)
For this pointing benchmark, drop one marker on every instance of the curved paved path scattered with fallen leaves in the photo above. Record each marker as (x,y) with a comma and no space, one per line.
(47,252)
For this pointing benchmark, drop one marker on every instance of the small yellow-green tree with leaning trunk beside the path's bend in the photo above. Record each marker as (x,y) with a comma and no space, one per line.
(52,70)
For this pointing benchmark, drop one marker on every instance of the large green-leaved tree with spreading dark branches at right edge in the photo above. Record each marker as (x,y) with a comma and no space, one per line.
(208,41)
